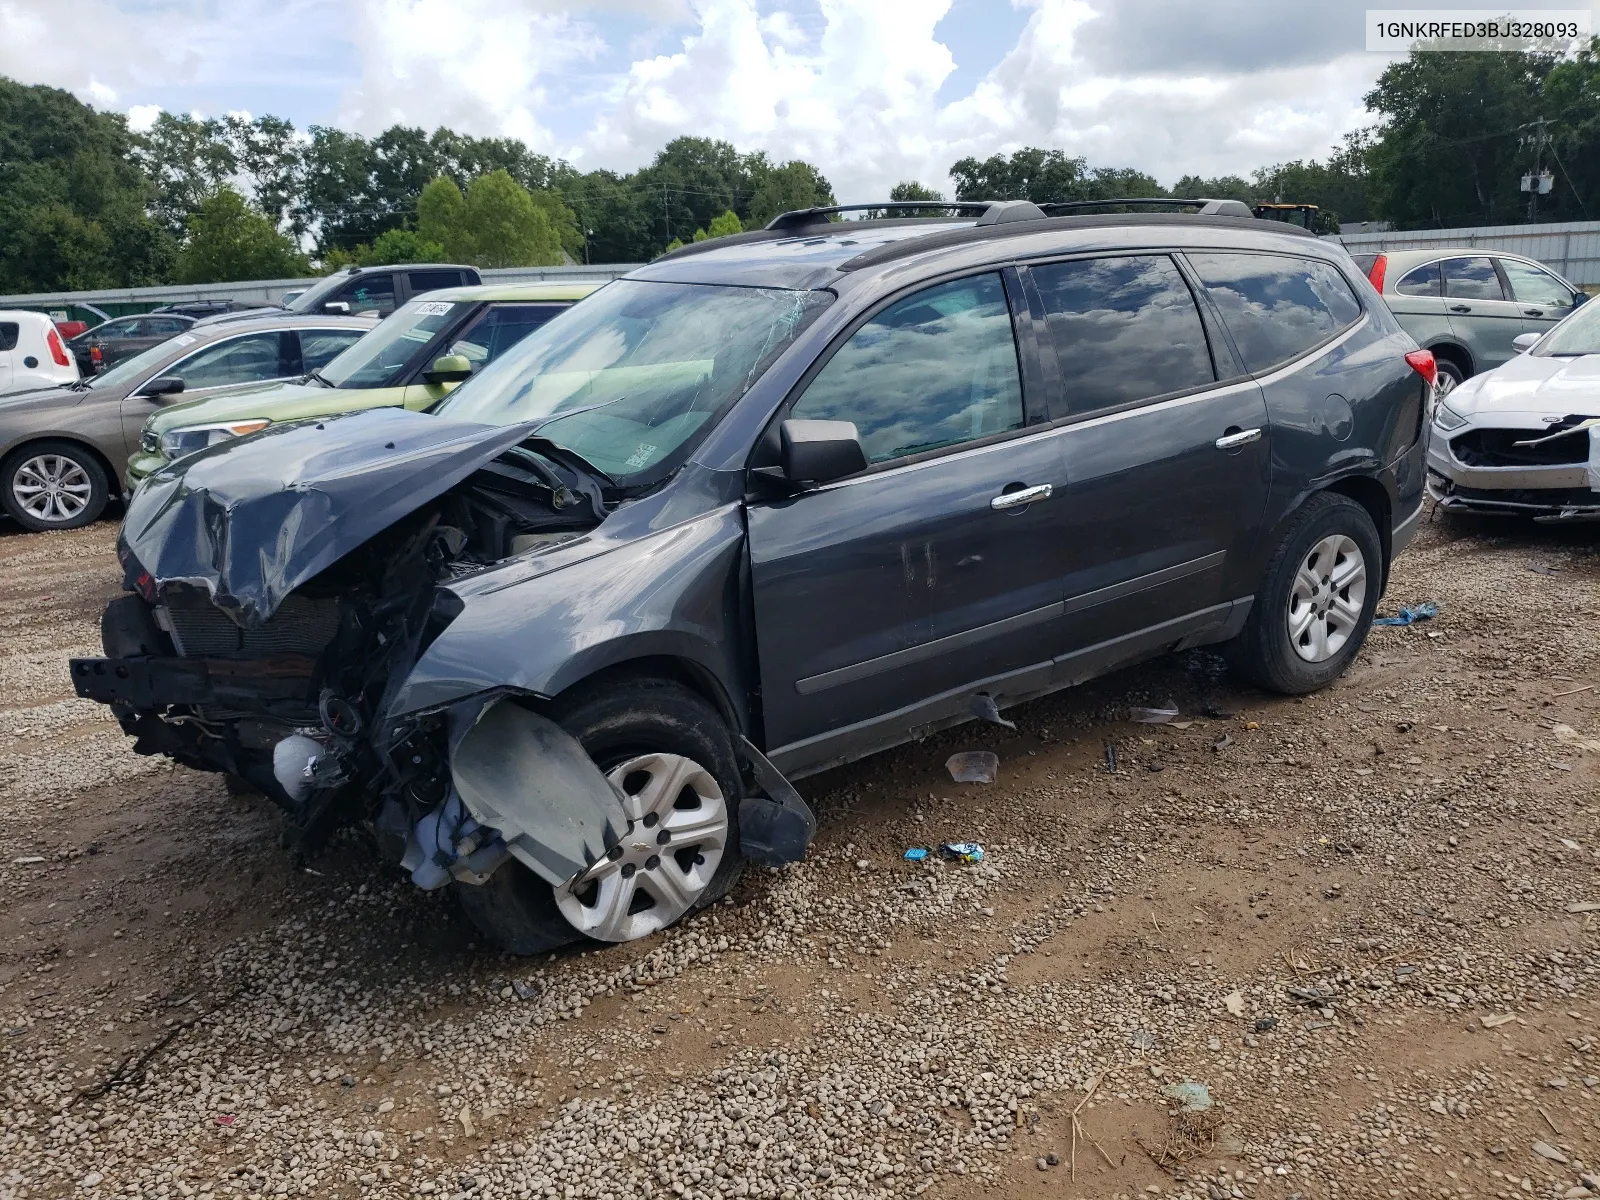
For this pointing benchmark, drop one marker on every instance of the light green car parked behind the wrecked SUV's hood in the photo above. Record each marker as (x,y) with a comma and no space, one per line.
(415,358)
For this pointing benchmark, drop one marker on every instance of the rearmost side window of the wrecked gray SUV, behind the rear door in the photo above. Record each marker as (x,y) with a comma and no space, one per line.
(1278,306)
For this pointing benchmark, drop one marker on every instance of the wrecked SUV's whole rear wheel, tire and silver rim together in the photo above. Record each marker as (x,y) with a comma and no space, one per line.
(1316,602)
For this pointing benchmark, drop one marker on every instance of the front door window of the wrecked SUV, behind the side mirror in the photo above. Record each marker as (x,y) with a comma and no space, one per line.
(932,370)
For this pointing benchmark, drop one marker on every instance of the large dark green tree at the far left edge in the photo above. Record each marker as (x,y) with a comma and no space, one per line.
(73,198)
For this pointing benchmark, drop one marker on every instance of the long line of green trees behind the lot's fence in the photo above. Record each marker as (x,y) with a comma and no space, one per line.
(86,202)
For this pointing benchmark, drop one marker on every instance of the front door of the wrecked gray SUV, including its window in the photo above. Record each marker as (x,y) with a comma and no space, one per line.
(906,583)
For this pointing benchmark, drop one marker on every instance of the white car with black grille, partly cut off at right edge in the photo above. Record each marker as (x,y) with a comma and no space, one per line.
(1524,439)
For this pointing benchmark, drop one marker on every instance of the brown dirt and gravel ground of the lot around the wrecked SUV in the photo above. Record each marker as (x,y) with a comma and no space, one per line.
(1366,921)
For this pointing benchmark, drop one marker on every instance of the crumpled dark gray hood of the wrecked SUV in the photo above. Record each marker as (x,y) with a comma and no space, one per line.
(252,521)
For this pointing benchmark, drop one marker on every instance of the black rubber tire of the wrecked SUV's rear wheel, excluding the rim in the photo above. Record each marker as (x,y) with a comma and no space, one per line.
(1263,654)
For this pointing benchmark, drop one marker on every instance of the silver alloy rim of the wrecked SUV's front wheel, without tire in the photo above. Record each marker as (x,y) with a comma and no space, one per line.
(676,839)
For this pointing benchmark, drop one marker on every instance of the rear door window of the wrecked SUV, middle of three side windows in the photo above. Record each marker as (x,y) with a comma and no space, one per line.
(1124,330)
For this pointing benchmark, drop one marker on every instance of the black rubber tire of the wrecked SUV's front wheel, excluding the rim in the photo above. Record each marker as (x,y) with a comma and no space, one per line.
(614,719)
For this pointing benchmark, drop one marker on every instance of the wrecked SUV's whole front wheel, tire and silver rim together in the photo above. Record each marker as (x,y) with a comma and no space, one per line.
(673,756)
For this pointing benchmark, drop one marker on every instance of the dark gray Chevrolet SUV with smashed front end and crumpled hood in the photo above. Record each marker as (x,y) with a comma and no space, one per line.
(769,505)
